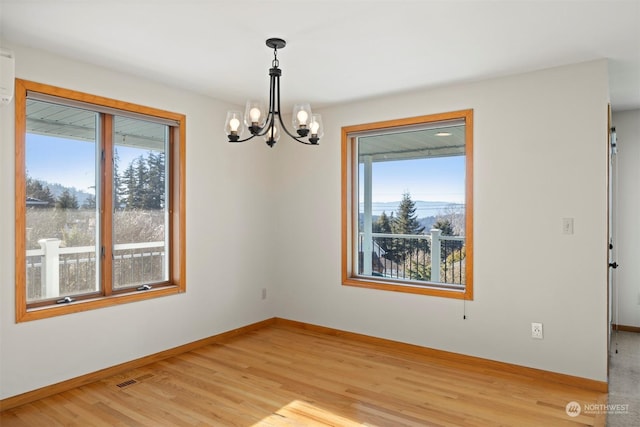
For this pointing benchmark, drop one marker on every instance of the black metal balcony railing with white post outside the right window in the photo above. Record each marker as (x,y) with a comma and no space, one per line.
(413,257)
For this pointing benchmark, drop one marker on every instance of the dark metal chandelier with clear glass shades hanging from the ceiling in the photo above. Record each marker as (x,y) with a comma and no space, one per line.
(268,123)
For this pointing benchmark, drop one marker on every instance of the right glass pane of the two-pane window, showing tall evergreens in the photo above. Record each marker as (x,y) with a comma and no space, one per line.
(140,220)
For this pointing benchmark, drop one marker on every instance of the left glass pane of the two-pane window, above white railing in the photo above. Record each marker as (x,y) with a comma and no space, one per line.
(61,211)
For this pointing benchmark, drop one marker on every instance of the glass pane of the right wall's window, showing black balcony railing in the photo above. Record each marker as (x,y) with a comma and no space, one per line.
(411,199)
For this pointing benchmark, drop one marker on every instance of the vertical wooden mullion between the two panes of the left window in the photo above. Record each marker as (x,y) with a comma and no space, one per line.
(106,207)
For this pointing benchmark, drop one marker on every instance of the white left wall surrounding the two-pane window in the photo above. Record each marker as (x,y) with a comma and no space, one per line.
(226,267)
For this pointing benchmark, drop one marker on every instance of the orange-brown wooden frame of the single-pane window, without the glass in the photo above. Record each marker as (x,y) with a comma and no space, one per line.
(349,177)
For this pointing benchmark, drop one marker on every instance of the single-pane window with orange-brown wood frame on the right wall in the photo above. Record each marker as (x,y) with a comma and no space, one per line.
(407,217)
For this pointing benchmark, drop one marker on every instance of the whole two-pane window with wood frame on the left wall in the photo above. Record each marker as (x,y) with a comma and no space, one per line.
(100,213)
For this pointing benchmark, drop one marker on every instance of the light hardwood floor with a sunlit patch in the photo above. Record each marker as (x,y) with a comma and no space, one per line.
(287,376)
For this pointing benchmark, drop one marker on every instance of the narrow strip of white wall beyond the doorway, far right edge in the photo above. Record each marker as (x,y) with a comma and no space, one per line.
(626,295)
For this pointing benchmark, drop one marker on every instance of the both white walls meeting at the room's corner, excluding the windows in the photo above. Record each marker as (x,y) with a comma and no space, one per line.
(258,218)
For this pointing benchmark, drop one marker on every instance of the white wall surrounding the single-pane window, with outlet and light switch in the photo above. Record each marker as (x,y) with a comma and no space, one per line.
(539,155)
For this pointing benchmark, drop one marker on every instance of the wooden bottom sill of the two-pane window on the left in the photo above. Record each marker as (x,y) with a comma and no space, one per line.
(29,314)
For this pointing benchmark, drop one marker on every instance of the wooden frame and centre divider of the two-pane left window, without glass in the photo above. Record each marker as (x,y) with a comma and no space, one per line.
(176,206)
